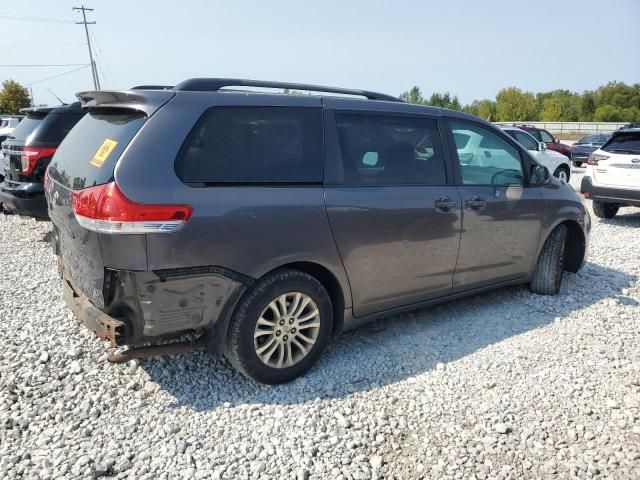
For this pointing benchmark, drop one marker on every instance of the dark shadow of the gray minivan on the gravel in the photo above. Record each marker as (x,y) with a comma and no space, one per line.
(393,349)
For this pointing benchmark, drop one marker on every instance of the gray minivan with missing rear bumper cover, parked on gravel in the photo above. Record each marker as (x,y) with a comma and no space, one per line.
(266,222)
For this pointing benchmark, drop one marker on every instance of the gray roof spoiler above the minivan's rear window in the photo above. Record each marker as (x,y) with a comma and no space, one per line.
(143,101)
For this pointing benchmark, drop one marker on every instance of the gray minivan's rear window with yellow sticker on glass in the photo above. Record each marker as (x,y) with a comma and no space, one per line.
(88,155)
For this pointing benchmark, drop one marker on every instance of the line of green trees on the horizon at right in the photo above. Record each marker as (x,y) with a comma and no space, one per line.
(613,102)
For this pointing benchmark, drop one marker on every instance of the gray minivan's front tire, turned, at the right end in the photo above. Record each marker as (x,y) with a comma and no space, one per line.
(547,277)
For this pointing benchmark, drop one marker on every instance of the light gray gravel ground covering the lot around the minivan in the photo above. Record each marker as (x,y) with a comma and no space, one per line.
(501,385)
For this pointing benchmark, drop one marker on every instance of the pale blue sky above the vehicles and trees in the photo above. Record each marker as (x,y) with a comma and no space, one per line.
(469,48)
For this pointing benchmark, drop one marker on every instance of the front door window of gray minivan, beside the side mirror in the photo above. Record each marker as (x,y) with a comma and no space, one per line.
(486,158)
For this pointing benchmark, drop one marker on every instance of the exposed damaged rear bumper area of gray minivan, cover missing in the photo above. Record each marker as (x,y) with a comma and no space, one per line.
(146,306)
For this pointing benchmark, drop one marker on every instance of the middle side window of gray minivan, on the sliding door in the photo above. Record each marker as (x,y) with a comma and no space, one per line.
(389,150)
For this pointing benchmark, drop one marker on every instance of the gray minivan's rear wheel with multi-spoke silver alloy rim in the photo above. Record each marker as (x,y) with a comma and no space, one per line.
(280,327)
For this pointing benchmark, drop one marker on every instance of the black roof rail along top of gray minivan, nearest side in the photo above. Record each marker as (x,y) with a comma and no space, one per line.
(215,84)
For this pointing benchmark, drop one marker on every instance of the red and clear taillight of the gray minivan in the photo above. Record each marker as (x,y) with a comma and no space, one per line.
(105,209)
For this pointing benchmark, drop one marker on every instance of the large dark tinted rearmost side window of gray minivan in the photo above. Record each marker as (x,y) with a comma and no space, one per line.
(238,145)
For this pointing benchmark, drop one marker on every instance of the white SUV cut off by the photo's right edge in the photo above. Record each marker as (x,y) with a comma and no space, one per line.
(612,179)
